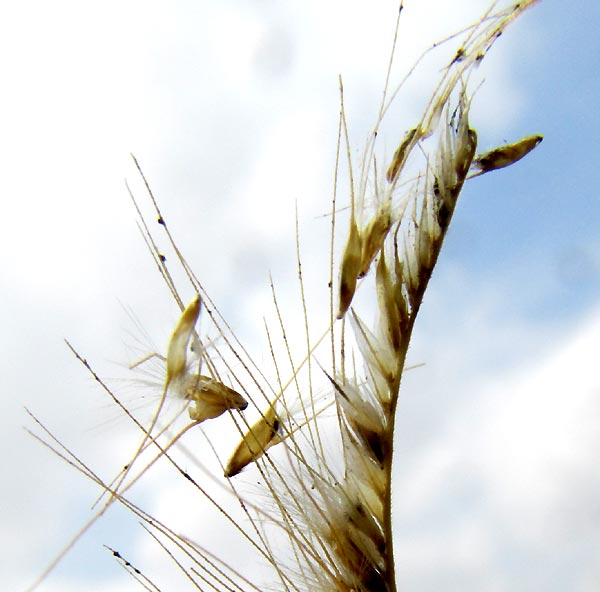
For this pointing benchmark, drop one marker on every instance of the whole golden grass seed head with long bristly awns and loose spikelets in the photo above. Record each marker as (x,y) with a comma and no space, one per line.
(333,505)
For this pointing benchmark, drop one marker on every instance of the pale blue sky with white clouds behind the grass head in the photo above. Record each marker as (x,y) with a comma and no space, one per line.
(231,110)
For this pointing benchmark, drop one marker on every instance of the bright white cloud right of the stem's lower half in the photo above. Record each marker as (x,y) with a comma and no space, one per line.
(509,474)
